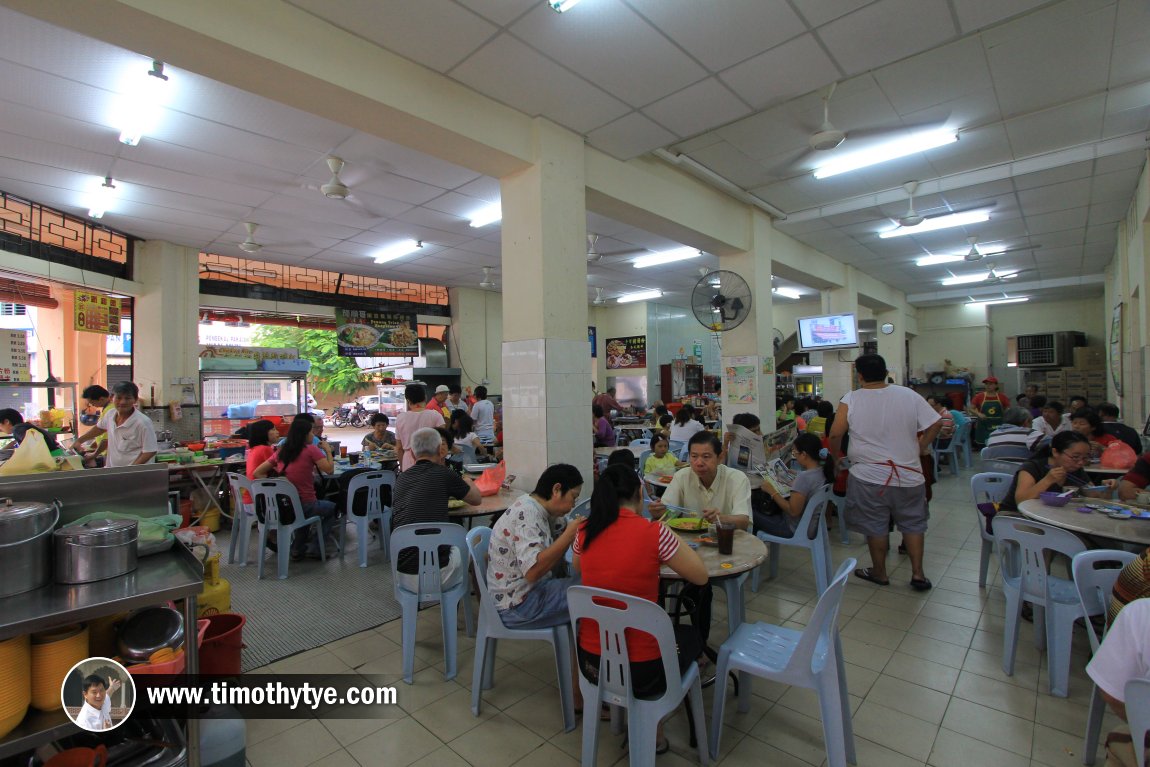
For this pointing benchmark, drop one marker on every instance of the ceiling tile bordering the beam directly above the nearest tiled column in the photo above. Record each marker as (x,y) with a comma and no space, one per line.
(522,78)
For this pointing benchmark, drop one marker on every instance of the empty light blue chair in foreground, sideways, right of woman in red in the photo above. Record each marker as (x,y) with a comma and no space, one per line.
(811,658)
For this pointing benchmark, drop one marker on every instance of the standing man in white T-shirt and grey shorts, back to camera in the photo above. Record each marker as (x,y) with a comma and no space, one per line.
(890,427)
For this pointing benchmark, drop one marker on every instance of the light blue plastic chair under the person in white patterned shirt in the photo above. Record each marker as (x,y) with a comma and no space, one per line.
(492,630)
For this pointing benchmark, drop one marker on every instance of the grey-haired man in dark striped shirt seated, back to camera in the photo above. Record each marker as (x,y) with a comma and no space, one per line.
(420,495)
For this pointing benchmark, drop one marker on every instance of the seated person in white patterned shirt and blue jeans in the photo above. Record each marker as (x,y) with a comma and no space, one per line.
(527,543)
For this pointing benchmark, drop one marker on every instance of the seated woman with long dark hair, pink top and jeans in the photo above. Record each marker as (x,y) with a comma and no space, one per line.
(297,461)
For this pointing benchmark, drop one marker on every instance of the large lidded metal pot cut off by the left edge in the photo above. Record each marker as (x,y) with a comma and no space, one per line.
(26,544)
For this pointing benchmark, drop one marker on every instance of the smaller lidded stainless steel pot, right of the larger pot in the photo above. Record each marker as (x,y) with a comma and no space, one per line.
(97,550)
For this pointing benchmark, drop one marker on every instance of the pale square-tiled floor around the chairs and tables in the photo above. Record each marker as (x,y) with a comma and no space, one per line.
(925,679)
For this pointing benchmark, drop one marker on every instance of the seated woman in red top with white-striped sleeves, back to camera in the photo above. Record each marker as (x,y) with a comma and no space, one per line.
(617,549)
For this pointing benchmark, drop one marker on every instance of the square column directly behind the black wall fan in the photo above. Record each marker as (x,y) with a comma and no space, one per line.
(750,347)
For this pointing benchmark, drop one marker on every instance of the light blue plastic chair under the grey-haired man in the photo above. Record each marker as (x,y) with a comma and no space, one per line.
(427,539)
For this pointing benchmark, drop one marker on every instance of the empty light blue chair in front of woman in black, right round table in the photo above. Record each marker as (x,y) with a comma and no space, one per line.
(1022,557)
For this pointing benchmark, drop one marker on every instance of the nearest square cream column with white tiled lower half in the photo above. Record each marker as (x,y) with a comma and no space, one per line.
(547,361)
